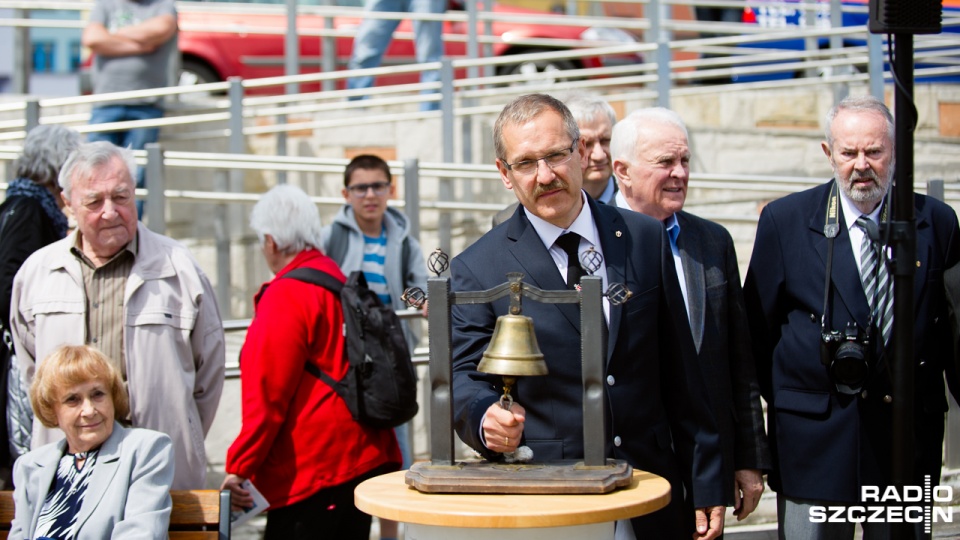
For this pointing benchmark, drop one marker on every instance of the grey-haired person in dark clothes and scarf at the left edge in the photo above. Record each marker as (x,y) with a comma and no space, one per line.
(30,218)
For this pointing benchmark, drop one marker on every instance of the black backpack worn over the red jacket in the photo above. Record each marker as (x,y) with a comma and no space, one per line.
(380,387)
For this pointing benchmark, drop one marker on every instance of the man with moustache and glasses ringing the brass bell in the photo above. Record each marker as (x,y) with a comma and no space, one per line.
(657,417)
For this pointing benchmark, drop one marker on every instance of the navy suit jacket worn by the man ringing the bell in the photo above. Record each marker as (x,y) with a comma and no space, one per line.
(655,400)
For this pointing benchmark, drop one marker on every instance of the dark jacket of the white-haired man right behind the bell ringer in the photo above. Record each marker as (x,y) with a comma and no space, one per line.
(718,322)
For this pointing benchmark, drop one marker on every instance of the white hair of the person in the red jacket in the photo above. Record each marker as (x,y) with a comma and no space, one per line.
(288,215)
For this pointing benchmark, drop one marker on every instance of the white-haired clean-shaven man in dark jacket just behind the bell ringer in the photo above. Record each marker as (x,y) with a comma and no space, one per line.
(651,160)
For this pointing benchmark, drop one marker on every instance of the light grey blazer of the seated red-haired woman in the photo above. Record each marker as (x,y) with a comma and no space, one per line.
(129,492)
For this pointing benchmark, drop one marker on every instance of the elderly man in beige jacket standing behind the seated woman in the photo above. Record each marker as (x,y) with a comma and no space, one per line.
(138,296)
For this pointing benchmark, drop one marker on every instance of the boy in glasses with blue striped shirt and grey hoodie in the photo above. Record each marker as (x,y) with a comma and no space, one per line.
(369,236)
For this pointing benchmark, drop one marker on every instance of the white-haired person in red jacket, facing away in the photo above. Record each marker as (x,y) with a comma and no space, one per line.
(299,444)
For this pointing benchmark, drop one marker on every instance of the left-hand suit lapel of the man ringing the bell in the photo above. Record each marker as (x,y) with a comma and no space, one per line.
(537,263)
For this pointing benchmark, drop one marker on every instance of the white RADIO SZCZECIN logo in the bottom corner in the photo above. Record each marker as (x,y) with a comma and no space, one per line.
(912,504)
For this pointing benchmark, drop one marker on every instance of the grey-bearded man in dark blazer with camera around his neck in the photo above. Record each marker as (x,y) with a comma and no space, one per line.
(830,433)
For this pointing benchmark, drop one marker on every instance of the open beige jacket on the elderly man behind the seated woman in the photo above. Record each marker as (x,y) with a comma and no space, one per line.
(173,339)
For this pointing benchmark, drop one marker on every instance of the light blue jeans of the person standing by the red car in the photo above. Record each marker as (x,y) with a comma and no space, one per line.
(374,36)
